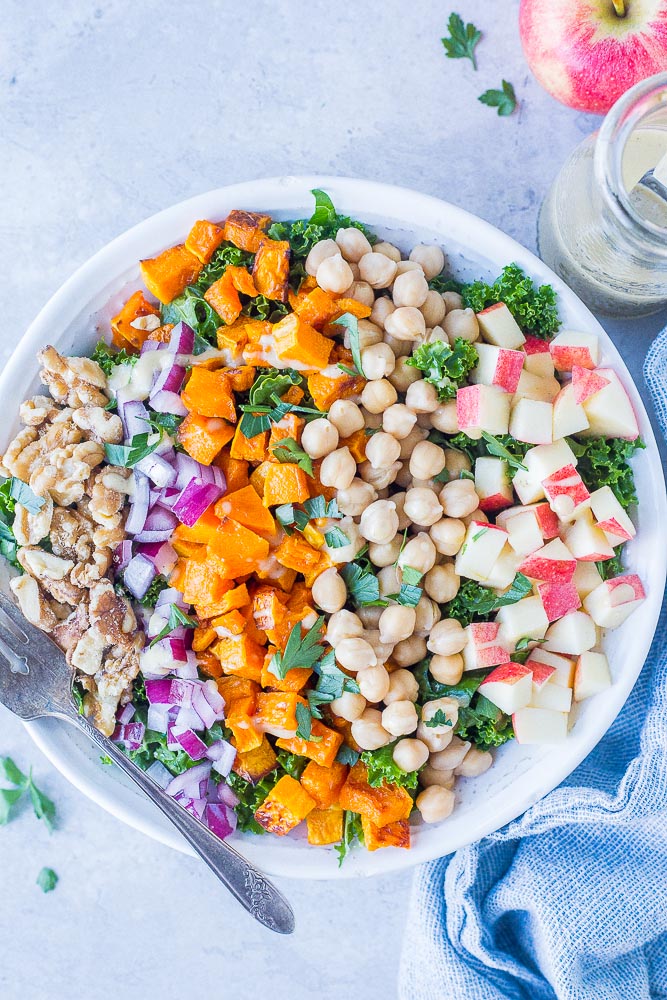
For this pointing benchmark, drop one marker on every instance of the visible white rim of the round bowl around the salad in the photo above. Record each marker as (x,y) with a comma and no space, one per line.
(72,321)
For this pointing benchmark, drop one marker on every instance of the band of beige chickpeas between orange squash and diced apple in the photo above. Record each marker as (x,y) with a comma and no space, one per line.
(394,489)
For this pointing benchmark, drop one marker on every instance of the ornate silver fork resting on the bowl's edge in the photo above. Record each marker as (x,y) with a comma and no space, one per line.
(39,683)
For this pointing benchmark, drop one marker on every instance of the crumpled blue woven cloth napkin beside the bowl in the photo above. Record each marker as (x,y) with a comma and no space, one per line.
(570,900)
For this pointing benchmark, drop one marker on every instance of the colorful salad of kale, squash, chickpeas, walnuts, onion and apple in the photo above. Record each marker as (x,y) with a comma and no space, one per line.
(320,527)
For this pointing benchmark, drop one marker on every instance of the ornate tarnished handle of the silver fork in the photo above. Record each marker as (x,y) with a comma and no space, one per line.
(252,889)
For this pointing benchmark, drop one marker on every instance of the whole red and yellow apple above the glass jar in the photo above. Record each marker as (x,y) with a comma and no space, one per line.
(587,53)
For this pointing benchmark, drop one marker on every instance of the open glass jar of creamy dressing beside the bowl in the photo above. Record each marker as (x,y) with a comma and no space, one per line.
(601,230)
